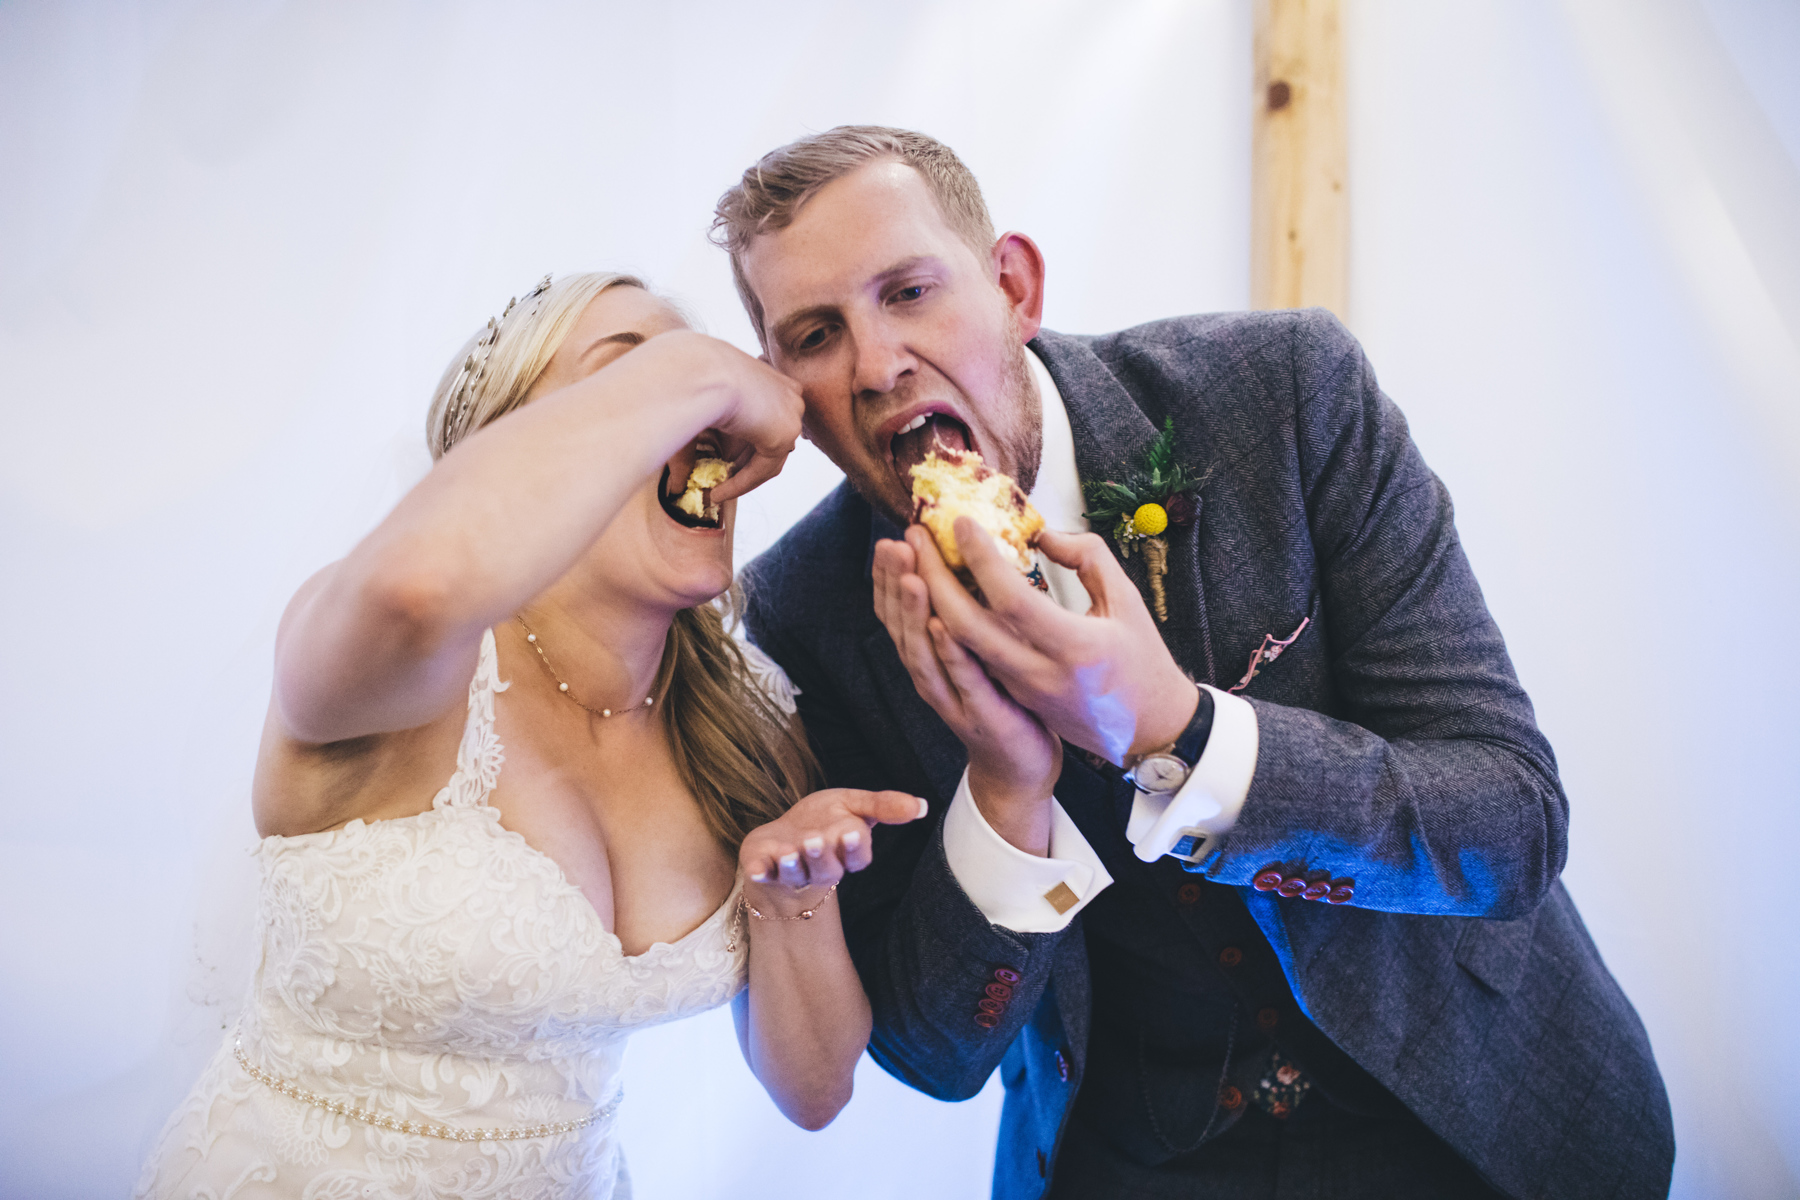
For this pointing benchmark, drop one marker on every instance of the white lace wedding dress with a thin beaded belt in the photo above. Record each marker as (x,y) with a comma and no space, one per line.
(438,1012)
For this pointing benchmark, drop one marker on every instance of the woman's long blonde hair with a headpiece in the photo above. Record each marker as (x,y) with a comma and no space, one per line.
(742,760)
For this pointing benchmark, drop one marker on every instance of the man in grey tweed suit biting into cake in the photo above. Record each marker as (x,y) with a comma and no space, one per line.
(1291,922)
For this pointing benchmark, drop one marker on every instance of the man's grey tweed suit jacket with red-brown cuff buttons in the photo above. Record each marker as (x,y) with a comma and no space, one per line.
(1396,748)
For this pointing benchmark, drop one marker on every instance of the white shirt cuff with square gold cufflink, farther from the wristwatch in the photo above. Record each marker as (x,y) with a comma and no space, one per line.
(1011,888)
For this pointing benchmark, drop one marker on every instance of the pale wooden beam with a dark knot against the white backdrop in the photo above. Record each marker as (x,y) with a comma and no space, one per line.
(1300,210)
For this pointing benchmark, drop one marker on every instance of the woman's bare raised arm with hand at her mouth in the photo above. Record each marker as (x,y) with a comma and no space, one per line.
(386,638)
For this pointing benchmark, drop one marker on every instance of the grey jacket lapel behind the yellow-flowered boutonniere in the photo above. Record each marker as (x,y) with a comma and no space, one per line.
(1111,434)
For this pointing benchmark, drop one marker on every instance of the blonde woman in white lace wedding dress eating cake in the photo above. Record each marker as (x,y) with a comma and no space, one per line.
(521,793)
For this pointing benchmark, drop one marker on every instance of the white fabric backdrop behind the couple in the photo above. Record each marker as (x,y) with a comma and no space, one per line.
(238,242)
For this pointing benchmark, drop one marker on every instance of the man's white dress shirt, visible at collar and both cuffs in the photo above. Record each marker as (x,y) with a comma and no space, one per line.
(1036,895)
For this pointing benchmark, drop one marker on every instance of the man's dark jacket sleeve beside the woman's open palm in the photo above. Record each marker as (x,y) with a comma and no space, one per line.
(948,989)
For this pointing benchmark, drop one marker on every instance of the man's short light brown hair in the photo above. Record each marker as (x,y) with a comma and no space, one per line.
(773,192)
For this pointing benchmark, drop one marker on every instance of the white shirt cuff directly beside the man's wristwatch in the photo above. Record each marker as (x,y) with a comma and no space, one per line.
(1207,807)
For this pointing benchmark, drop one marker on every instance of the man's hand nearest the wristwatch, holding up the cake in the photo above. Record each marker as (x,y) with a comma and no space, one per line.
(1101,681)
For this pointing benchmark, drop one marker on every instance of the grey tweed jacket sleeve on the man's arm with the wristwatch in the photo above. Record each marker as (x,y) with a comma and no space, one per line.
(1434,789)
